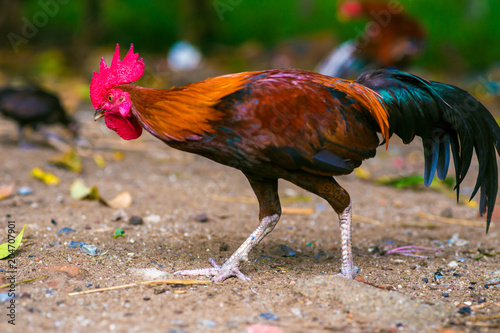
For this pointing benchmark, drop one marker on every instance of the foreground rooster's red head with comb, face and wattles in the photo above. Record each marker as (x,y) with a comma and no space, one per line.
(113,103)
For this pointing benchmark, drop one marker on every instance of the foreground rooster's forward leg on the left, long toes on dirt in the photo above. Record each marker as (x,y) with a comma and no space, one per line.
(270,210)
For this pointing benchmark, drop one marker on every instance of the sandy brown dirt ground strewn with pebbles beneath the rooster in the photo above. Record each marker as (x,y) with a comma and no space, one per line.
(194,209)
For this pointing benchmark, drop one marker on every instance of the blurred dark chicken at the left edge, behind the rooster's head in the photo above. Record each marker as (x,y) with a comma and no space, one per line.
(31,106)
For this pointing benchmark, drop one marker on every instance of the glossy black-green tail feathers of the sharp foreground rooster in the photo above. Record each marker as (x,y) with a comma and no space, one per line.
(446,118)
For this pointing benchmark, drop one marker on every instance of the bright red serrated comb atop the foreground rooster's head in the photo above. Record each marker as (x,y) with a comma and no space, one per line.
(125,71)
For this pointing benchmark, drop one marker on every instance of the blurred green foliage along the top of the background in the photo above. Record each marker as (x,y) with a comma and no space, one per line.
(459,30)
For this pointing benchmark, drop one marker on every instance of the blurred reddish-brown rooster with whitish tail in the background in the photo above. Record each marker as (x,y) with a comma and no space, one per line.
(390,39)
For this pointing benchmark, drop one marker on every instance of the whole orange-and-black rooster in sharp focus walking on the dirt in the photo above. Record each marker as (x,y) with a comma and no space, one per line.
(303,127)
